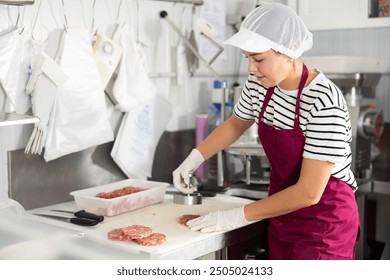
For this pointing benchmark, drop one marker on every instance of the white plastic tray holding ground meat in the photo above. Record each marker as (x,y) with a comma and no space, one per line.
(86,199)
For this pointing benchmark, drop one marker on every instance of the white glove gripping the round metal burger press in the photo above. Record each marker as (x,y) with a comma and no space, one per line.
(181,178)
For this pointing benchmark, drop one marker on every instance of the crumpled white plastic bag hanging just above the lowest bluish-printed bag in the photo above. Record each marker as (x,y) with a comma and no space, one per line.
(132,84)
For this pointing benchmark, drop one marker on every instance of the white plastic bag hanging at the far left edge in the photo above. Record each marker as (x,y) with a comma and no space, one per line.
(11,57)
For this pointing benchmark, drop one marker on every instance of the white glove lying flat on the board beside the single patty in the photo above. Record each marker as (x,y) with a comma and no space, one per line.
(219,221)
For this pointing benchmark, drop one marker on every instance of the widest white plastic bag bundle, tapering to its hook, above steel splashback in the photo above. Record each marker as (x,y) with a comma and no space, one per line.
(79,119)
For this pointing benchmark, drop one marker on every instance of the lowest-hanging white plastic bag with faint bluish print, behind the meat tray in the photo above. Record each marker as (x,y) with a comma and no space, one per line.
(138,136)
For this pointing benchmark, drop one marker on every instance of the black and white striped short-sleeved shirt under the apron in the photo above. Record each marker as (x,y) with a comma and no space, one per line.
(323,118)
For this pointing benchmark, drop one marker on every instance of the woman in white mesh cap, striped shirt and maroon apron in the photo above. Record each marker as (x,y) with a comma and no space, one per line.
(304,128)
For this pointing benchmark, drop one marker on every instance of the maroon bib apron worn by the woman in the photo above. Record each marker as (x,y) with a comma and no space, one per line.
(326,230)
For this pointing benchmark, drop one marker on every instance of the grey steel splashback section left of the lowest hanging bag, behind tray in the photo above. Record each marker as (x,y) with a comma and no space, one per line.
(36,183)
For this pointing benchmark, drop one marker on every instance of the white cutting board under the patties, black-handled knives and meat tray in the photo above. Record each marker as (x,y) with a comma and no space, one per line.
(162,218)
